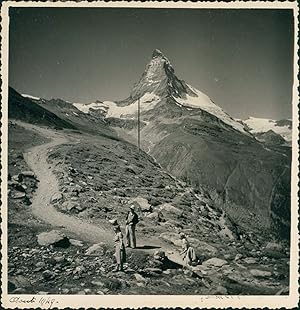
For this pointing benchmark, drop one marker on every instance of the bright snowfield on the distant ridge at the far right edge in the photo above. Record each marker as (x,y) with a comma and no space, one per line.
(281,127)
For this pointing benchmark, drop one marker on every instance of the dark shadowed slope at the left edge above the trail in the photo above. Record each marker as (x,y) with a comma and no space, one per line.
(25,109)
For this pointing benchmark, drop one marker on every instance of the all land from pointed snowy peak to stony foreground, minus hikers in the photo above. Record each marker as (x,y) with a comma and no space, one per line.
(73,167)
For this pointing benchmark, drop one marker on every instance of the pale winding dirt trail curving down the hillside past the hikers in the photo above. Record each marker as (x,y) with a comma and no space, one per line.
(36,159)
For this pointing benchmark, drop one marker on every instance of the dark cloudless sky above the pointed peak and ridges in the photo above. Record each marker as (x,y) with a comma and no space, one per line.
(242,59)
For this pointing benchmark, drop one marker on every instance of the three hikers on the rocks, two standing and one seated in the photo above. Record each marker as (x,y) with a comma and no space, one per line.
(188,253)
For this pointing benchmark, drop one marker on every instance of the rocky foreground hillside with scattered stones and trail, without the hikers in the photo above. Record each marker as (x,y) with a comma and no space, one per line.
(97,178)
